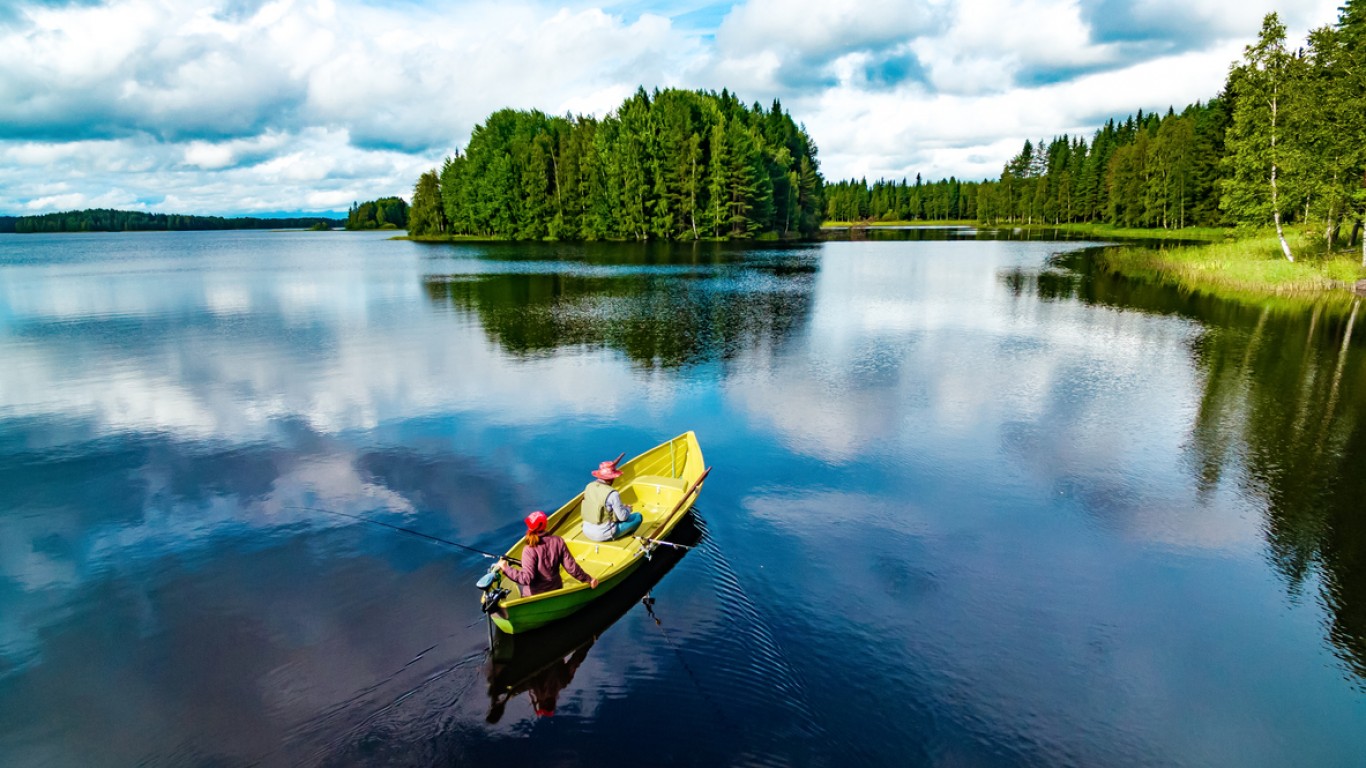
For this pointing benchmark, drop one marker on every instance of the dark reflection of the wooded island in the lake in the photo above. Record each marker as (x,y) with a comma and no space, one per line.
(669,314)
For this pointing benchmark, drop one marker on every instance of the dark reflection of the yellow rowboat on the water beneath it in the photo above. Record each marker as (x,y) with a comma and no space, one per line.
(543,662)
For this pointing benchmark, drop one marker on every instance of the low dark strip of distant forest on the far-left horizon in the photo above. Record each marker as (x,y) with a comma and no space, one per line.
(107,221)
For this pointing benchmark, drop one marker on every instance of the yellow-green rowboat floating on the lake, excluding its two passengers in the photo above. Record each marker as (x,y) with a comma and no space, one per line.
(662,484)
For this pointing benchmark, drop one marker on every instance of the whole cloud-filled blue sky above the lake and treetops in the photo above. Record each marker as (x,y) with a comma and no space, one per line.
(266,106)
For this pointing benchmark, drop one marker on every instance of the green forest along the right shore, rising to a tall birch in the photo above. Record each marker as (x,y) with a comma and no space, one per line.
(1283,144)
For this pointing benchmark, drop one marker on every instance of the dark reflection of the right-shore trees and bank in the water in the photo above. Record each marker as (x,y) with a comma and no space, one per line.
(1281,416)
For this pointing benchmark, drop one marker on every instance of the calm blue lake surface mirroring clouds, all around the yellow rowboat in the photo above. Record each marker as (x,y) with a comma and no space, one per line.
(975,504)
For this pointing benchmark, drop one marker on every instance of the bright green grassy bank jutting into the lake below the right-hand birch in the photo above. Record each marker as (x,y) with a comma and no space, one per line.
(1242,269)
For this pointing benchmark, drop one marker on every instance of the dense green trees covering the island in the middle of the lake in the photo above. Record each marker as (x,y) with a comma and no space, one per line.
(671,165)
